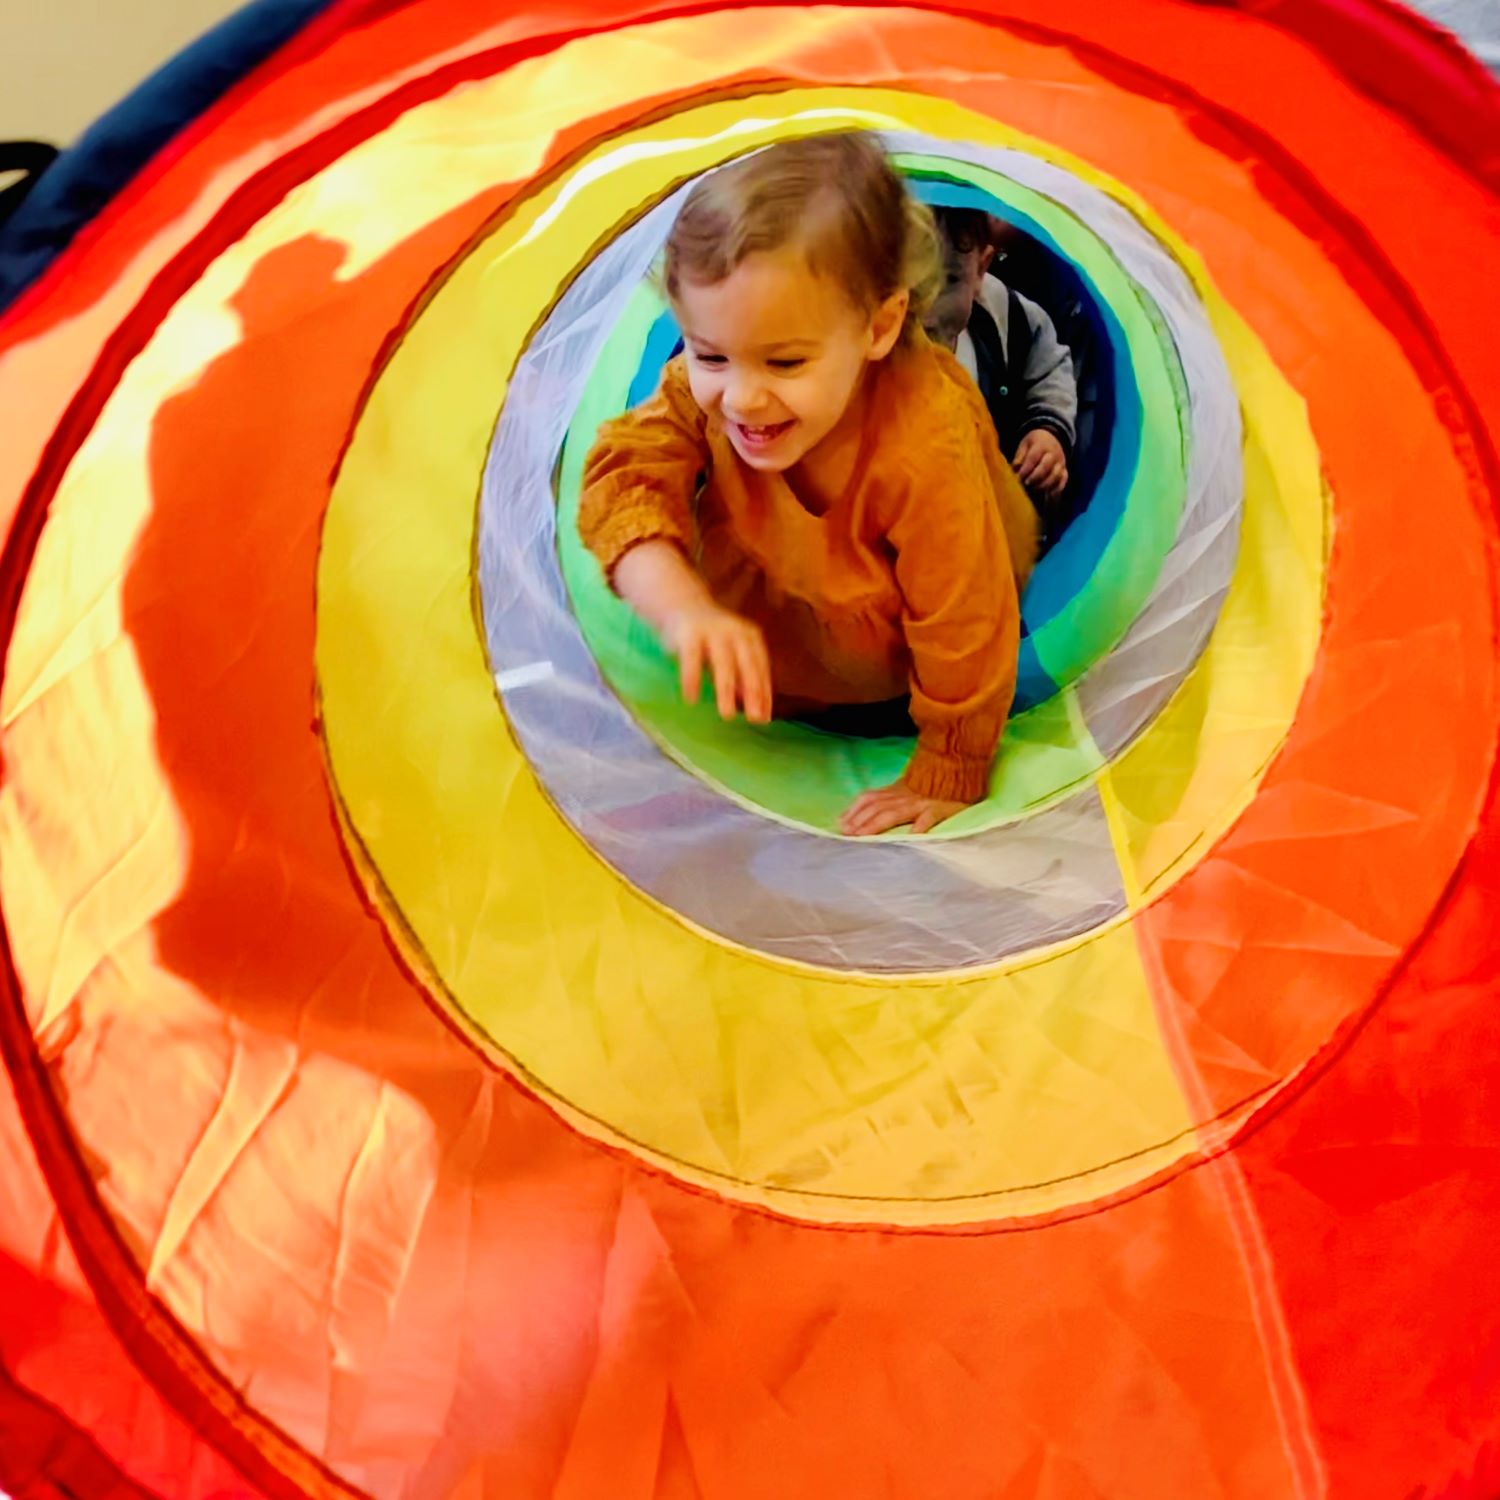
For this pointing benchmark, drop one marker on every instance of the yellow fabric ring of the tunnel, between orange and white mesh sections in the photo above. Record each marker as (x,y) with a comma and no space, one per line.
(826,1096)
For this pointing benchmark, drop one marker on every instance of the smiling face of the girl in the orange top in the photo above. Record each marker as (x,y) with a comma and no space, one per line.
(778,353)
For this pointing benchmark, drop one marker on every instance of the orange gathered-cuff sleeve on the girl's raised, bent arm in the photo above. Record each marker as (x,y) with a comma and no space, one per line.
(643,472)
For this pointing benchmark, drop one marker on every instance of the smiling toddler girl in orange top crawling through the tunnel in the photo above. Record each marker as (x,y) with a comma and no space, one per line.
(814,505)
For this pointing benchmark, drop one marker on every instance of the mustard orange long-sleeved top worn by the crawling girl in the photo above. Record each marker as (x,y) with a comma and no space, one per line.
(907,583)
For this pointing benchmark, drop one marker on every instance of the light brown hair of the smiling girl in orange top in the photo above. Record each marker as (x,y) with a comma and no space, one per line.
(835,197)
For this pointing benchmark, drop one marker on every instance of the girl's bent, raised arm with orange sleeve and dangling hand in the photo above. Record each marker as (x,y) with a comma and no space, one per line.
(635,517)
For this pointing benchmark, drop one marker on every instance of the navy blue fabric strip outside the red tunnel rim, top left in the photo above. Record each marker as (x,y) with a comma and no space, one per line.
(83,179)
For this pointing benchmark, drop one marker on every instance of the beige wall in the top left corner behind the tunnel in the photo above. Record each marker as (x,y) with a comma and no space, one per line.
(65,62)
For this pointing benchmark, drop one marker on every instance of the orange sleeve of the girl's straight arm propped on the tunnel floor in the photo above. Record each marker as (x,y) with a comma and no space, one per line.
(961,619)
